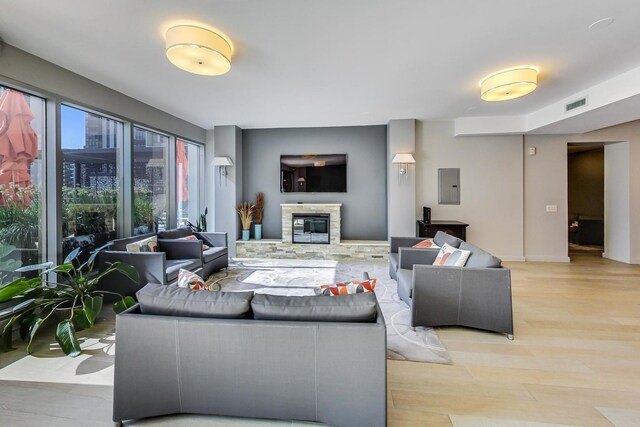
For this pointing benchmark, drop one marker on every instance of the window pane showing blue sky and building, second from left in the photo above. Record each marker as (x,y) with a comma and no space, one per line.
(91,184)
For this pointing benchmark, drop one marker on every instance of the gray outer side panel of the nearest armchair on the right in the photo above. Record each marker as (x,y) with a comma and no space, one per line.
(467,296)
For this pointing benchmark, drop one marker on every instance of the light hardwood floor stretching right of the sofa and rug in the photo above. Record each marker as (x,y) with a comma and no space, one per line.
(575,358)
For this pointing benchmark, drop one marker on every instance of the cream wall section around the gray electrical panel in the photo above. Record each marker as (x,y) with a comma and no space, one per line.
(491,184)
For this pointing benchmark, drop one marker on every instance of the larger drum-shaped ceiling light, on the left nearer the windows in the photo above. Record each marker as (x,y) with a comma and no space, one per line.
(198,50)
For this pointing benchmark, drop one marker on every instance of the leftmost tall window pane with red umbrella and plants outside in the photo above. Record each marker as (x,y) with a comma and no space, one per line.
(22,141)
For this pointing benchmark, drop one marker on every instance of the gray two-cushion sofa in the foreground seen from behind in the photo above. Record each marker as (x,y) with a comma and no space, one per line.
(320,359)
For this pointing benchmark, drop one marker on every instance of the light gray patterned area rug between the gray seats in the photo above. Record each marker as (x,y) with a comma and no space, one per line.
(300,277)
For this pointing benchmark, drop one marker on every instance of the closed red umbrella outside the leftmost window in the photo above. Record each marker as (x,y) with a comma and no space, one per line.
(18,141)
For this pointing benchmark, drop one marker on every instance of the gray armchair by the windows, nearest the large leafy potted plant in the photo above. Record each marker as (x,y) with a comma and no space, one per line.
(156,267)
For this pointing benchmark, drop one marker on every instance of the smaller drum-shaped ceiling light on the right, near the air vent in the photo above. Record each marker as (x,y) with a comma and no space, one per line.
(509,84)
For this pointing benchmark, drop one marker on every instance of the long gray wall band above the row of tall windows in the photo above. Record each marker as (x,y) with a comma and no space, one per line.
(42,77)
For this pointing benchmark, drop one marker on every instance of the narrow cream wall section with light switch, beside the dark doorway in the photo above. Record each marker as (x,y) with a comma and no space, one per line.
(545,183)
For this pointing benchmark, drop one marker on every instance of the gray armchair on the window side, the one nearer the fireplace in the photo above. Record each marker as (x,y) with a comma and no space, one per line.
(215,257)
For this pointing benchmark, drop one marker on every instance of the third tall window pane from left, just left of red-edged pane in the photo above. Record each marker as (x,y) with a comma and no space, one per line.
(150,181)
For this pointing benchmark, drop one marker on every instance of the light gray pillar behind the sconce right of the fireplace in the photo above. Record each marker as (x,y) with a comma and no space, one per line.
(401,192)
